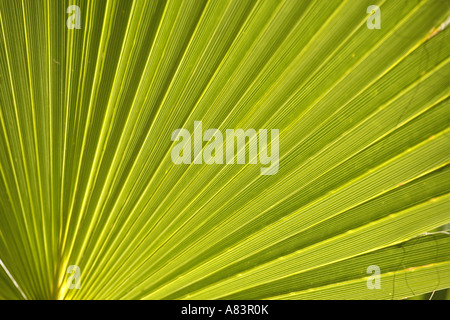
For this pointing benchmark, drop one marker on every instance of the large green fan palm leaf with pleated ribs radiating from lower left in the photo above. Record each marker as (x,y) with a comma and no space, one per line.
(87,179)
